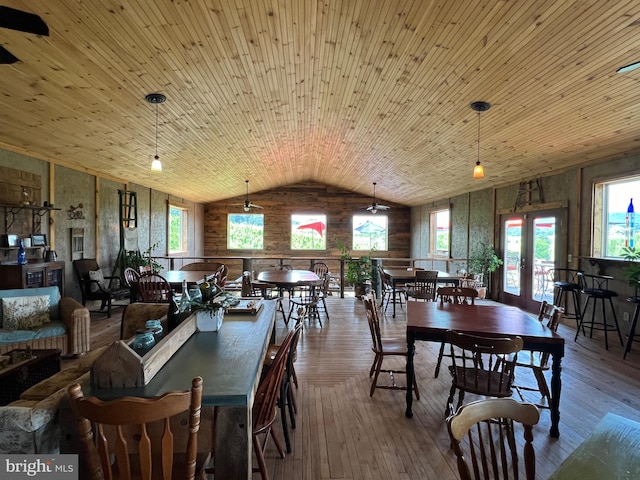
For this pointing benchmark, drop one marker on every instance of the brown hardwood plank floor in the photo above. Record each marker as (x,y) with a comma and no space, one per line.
(343,433)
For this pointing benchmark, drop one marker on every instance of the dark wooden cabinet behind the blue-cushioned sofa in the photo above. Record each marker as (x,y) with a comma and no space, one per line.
(32,275)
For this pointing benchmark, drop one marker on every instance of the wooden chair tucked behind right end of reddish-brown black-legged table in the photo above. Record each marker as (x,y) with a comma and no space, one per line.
(538,362)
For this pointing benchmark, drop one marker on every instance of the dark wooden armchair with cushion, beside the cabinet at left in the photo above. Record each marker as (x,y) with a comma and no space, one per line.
(94,285)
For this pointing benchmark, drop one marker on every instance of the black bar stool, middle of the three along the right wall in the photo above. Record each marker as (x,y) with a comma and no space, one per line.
(596,288)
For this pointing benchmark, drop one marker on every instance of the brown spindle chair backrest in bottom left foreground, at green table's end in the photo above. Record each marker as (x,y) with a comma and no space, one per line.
(114,419)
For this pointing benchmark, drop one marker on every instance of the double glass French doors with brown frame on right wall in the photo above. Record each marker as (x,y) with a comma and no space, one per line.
(531,246)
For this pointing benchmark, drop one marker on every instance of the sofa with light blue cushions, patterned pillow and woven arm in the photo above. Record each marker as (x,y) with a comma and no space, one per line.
(38,318)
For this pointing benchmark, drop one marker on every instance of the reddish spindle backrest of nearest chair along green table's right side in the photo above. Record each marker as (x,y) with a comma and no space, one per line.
(265,403)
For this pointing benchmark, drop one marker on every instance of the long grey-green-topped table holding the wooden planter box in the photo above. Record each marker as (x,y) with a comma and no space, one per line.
(229,362)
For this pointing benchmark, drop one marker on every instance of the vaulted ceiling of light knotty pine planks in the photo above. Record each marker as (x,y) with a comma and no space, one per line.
(342,92)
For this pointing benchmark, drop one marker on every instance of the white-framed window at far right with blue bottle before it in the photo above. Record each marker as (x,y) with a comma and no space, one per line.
(614,227)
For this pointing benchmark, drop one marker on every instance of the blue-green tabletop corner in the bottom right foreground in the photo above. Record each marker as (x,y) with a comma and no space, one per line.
(612,450)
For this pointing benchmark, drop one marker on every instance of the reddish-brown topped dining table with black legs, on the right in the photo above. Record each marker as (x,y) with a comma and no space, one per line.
(430,321)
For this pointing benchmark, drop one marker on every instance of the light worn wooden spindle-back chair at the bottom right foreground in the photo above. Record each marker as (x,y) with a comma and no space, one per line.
(489,430)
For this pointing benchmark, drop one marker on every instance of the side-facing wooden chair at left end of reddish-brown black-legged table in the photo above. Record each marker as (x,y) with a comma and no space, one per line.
(383,347)
